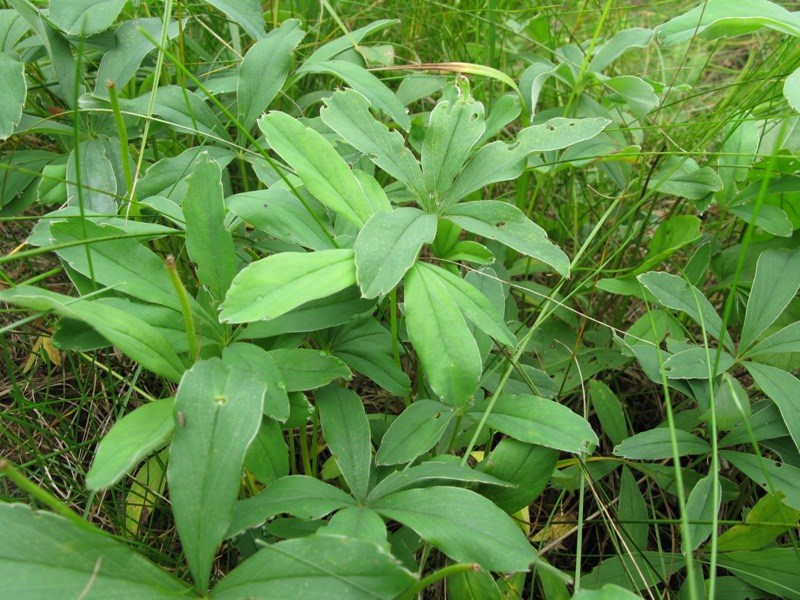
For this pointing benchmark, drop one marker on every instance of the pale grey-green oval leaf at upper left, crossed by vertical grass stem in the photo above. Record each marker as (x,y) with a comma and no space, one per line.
(98,183)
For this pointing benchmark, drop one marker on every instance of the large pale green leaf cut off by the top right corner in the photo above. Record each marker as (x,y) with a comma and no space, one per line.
(719,18)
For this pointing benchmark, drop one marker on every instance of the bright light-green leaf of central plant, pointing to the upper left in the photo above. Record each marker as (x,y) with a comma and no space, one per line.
(321,169)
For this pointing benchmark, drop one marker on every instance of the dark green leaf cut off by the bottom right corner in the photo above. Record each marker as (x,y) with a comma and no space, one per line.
(776,570)
